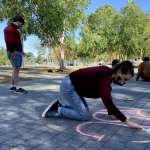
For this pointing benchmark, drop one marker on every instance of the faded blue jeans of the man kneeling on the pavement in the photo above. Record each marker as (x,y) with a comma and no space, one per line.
(74,106)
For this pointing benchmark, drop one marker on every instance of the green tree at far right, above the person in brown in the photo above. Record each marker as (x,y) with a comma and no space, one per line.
(133,31)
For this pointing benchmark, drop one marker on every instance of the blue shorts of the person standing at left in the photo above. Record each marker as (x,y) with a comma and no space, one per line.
(16,61)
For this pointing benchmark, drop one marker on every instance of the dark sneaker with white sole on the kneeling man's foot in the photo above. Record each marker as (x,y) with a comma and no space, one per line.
(52,110)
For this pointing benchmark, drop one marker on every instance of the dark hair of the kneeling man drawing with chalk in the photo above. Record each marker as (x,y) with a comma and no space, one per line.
(125,67)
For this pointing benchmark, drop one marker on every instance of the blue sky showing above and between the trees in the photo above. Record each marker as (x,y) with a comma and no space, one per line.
(32,41)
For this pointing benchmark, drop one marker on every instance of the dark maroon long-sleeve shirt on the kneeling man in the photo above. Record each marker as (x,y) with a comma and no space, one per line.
(95,82)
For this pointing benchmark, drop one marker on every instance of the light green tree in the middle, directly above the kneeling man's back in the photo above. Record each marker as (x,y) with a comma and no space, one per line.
(99,33)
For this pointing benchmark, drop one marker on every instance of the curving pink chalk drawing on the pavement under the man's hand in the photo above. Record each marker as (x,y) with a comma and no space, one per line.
(135,113)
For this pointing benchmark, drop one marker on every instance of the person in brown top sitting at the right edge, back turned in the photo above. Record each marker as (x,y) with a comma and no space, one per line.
(144,70)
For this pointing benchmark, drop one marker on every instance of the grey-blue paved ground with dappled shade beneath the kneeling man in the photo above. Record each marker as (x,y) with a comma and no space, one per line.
(22,128)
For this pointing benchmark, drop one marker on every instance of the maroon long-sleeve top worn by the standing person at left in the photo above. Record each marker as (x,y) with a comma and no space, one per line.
(13,38)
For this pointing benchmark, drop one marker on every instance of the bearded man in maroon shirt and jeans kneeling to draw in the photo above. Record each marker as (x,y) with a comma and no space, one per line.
(92,82)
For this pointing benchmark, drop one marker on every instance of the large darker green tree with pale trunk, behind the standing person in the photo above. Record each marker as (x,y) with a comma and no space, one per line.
(48,19)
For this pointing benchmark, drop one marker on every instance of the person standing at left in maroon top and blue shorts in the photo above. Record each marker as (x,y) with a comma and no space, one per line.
(14,45)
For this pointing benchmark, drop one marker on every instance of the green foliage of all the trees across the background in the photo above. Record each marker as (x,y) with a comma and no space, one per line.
(105,33)
